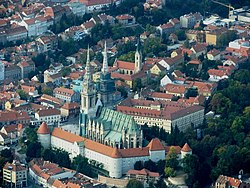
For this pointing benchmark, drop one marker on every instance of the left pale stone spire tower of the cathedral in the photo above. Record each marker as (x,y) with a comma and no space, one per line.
(88,94)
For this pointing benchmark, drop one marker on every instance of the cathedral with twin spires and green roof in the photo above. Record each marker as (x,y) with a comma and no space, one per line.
(100,123)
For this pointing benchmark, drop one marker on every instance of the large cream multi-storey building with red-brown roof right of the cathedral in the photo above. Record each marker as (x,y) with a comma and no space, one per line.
(165,114)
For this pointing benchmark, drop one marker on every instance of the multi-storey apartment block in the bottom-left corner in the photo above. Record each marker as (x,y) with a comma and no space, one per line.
(15,175)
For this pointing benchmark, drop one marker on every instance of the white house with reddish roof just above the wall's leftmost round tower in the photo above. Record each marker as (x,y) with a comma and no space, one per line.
(50,116)
